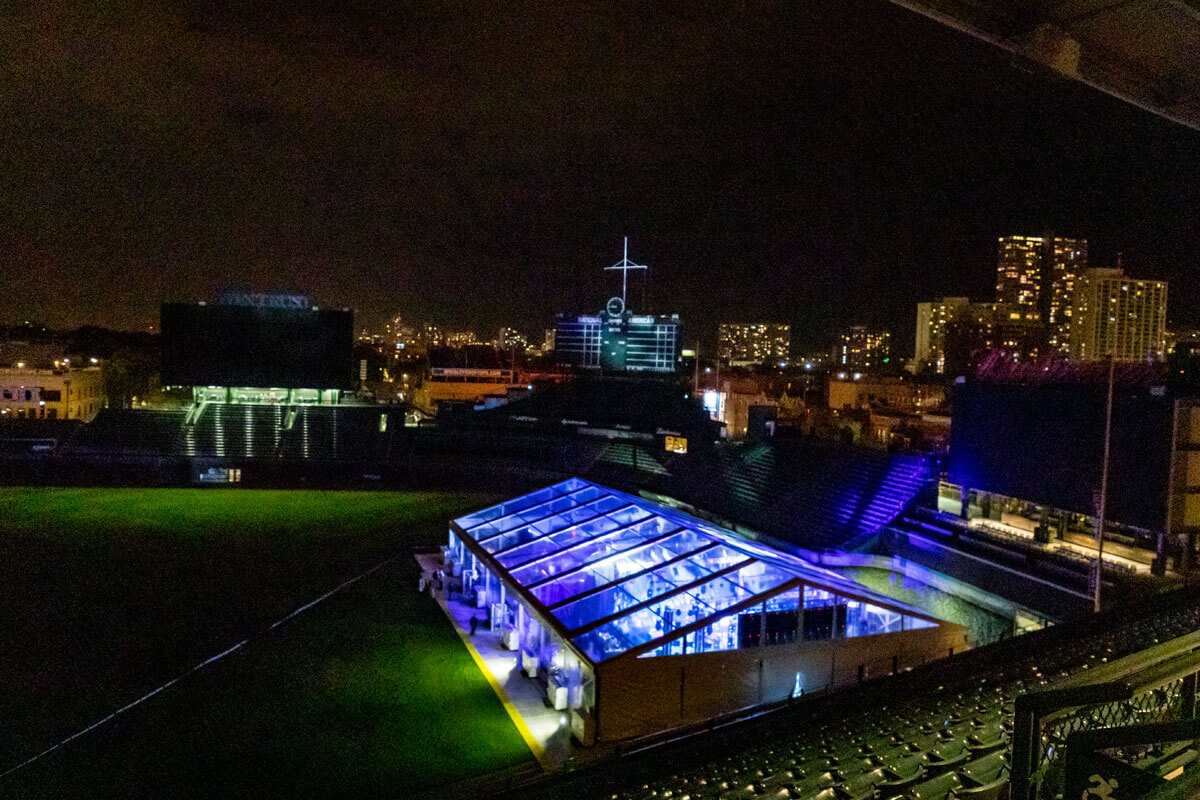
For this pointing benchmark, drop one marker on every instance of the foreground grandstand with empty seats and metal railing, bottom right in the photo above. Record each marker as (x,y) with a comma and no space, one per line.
(993,723)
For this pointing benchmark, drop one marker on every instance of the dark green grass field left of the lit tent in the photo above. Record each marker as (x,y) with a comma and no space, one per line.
(109,593)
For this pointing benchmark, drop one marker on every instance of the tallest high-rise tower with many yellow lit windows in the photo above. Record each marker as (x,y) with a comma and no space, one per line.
(1040,274)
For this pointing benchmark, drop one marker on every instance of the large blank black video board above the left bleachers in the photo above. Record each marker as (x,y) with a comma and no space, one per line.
(249,346)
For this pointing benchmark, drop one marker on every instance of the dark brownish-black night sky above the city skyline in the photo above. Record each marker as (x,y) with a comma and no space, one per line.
(478,164)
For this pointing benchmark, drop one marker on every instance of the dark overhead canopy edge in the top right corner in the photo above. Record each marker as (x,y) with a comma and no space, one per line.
(1144,52)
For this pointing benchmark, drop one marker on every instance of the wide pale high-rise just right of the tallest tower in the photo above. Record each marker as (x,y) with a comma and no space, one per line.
(1119,316)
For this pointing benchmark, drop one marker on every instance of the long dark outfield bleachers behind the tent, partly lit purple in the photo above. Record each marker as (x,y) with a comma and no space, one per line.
(808,496)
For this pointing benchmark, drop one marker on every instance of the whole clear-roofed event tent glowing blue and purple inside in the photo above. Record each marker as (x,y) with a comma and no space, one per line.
(640,619)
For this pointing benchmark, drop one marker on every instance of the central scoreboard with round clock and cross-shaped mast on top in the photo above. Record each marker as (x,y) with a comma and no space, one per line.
(617,340)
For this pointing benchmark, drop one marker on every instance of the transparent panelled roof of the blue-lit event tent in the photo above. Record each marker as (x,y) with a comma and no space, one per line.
(610,572)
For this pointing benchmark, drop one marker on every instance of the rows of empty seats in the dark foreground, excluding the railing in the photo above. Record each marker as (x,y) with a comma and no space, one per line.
(943,735)
